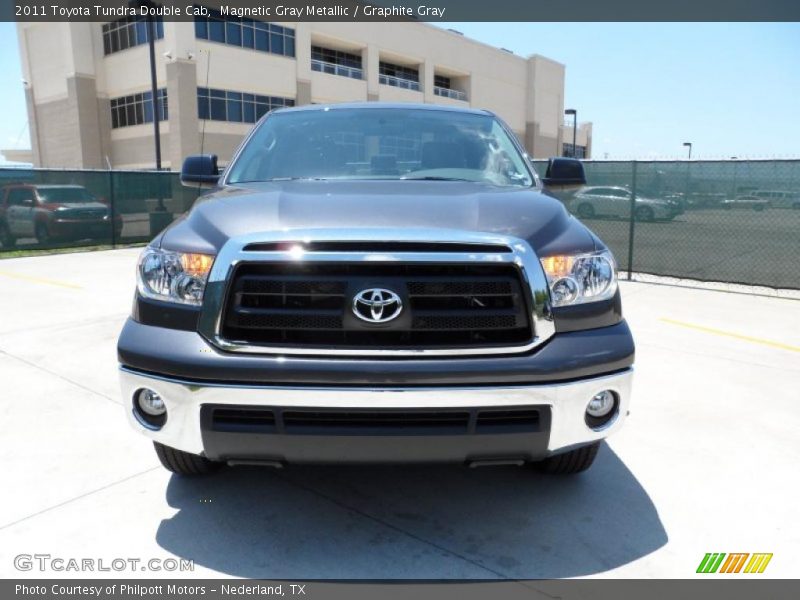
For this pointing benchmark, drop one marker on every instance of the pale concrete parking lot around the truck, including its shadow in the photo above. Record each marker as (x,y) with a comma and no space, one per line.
(707,461)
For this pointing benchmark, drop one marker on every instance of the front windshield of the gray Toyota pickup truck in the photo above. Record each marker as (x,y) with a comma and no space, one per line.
(372,143)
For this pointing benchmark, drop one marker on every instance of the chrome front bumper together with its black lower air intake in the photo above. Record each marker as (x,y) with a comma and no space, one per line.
(551,420)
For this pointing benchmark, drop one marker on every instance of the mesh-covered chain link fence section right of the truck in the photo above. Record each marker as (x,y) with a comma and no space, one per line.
(732,221)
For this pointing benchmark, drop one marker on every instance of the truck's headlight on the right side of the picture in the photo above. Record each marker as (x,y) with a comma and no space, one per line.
(580,278)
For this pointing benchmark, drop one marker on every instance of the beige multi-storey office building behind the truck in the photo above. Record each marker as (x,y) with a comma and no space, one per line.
(88,84)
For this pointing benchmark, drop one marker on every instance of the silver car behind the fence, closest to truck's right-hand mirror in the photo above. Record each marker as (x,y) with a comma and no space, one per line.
(609,201)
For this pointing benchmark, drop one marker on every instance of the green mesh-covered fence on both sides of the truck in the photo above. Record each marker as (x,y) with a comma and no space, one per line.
(732,221)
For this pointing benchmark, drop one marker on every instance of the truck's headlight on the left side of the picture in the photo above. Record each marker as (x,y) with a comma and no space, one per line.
(173,276)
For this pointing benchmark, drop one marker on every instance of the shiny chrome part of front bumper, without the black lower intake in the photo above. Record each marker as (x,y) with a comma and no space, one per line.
(567,402)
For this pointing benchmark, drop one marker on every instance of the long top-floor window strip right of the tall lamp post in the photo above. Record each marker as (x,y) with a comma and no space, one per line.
(245,33)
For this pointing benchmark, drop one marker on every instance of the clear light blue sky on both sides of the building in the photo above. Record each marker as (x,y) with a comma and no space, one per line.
(732,89)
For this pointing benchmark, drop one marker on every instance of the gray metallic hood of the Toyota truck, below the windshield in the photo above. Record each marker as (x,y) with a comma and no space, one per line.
(251,208)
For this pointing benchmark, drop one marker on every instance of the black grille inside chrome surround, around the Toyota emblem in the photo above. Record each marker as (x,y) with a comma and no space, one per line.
(310,305)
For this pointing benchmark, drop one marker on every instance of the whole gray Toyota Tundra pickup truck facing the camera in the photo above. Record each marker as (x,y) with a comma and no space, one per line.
(377,283)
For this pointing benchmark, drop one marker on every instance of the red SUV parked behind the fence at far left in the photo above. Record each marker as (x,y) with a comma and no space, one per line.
(52,213)
